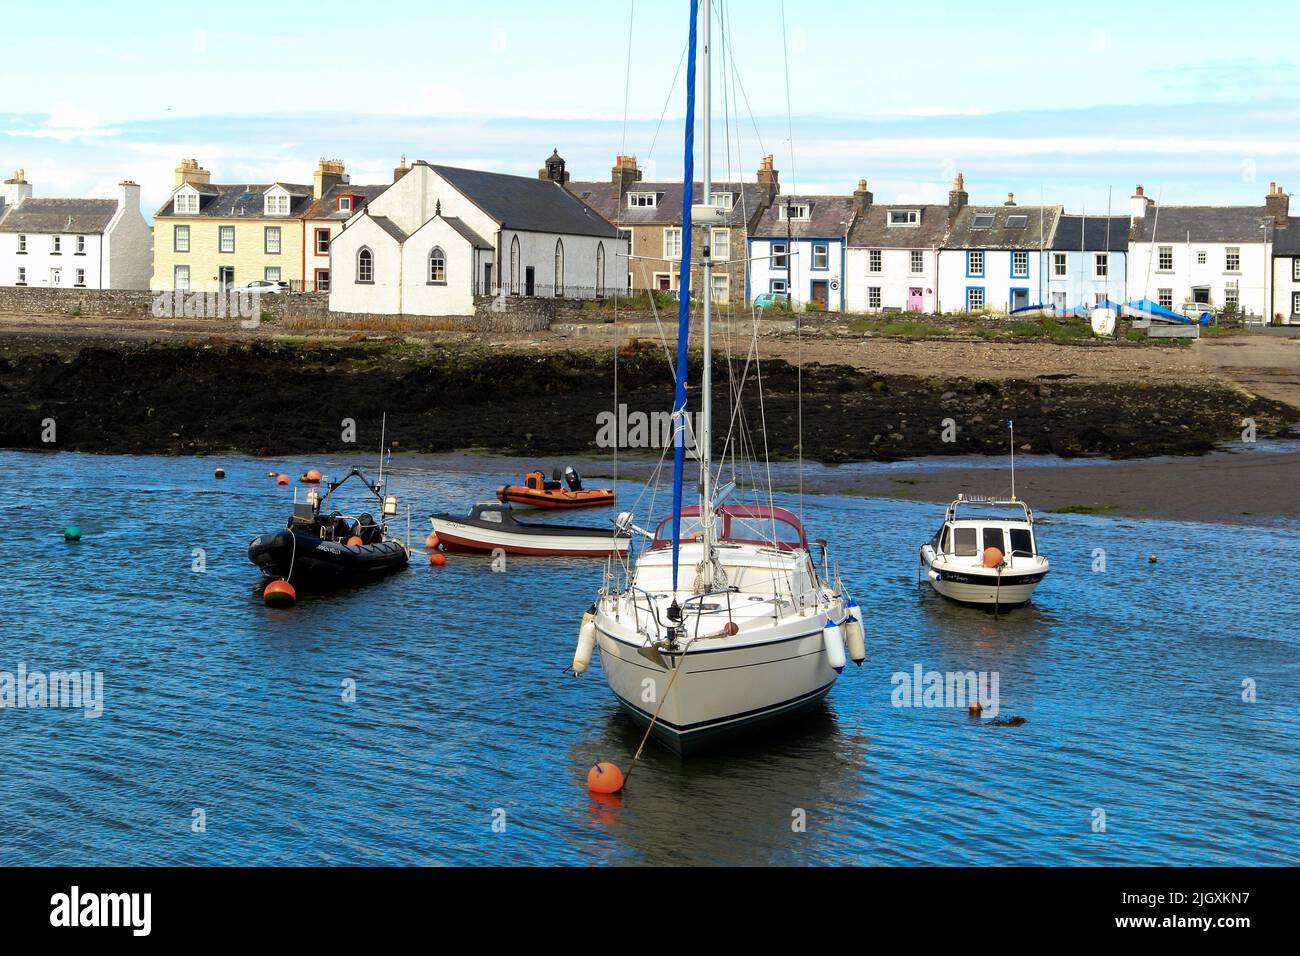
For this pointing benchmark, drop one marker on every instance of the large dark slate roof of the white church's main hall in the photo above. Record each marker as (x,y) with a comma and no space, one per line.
(521,202)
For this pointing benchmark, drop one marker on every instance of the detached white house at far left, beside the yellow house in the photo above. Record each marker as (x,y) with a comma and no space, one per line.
(73,244)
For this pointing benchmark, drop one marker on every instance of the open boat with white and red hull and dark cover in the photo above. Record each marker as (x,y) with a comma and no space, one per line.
(491,527)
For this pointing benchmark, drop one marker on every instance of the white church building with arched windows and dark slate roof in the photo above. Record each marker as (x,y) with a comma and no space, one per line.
(440,236)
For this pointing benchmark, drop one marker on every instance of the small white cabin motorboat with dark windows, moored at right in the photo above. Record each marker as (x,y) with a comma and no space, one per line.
(986,560)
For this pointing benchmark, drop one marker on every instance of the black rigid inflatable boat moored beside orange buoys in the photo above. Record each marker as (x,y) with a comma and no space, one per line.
(326,548)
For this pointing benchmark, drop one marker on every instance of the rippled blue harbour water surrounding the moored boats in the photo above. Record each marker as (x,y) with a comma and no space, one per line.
(1130,681)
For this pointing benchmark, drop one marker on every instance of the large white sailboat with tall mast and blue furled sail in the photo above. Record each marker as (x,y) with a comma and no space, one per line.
(725,621)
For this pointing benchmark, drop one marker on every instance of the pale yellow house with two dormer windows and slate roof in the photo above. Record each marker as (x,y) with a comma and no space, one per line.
(211,237)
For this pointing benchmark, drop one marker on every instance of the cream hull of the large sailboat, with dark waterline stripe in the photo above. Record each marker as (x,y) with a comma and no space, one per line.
(723,694)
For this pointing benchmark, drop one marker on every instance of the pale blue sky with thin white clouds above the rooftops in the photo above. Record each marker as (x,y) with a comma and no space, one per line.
(1071,103)
